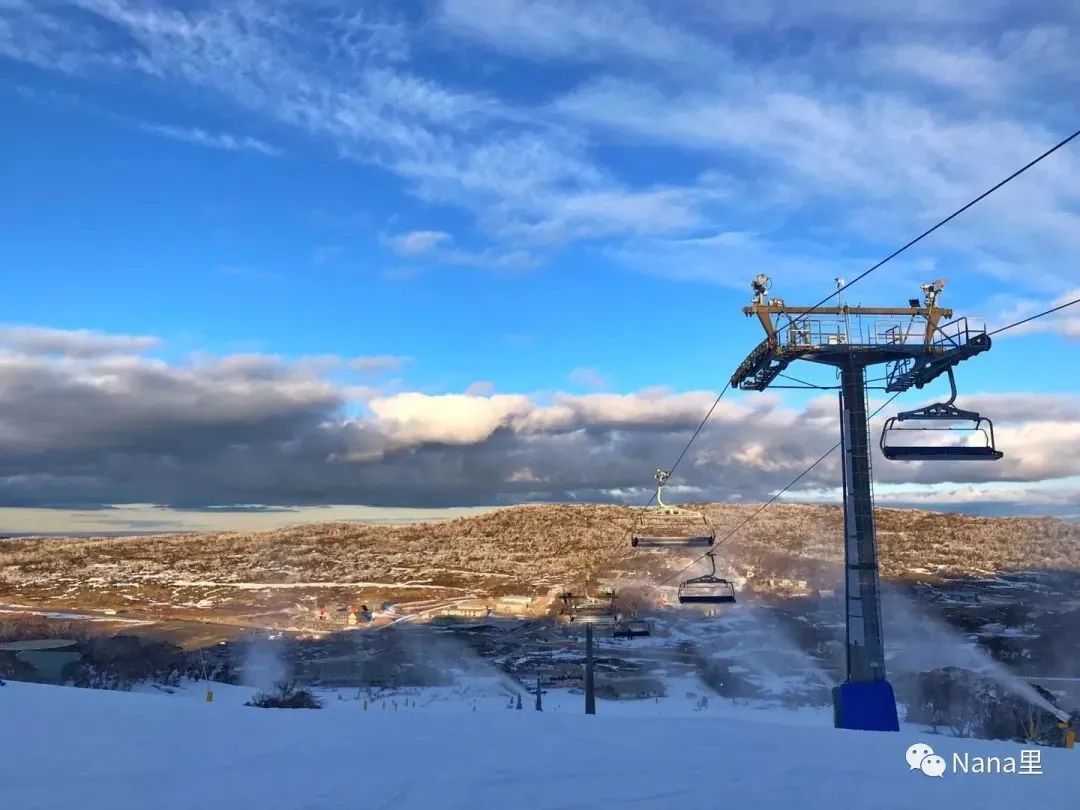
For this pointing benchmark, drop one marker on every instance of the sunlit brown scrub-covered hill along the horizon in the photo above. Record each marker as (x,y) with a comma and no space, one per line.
(529,549)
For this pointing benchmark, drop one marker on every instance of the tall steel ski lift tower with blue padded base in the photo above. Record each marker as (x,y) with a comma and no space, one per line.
(917,348)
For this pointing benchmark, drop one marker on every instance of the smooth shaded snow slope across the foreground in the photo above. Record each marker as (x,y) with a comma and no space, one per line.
(462,748)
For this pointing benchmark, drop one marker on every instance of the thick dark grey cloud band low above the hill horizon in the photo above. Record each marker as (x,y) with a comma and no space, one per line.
(252,429)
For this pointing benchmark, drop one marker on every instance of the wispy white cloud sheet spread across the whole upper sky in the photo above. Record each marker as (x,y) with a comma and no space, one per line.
(853,133)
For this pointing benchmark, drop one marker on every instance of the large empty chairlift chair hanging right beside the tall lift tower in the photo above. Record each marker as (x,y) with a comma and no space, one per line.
(949,418)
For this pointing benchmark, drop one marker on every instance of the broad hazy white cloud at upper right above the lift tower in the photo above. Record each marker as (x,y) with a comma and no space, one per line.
(876,164)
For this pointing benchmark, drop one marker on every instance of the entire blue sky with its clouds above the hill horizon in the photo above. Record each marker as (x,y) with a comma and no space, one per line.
(533,206)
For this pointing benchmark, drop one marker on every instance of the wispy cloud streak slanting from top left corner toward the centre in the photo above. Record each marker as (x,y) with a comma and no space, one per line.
(506,164)
